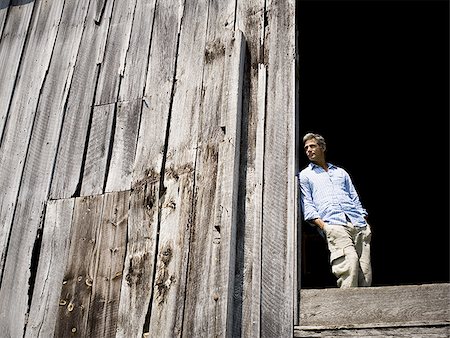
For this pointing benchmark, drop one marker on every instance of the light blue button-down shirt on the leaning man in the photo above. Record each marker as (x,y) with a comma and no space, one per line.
(330,195)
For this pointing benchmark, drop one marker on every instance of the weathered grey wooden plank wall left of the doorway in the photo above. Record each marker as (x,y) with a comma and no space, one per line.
(147,168)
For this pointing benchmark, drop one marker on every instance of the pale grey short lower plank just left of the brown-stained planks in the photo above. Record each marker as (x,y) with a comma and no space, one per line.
(50,272)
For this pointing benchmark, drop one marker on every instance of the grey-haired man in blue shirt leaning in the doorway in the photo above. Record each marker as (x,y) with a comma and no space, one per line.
(330,202)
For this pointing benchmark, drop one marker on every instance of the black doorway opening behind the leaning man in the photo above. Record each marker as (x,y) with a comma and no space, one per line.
(374,81)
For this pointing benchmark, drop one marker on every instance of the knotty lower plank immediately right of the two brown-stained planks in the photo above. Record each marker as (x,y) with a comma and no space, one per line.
(137,281)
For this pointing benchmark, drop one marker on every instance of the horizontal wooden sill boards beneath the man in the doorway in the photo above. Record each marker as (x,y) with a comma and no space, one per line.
(388,311)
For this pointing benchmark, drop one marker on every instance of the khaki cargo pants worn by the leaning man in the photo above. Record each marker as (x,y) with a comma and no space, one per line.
(350,254)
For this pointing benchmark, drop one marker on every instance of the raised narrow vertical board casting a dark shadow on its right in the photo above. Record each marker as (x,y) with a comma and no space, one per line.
(228,184)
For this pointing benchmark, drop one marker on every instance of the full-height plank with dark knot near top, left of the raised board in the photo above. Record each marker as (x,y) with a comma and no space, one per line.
(204,298)
